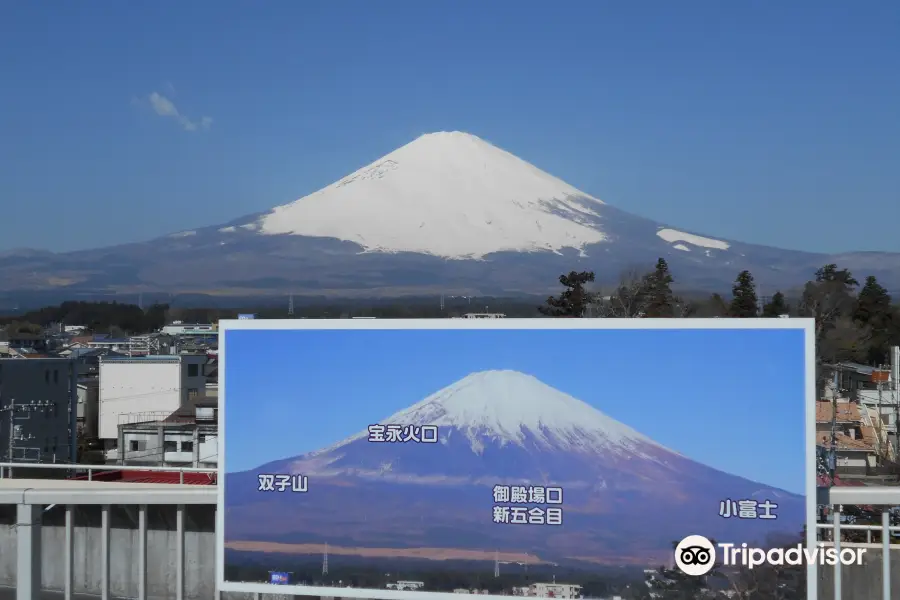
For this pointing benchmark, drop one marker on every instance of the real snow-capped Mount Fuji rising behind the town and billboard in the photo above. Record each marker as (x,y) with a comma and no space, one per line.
(446,213)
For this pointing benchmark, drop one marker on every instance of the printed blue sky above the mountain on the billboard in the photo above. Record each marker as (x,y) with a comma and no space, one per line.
(732,399)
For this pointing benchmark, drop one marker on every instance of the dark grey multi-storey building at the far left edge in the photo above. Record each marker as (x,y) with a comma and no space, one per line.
(38,410)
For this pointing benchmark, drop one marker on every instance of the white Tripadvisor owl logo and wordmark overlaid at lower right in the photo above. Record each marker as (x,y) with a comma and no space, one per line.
(696,555)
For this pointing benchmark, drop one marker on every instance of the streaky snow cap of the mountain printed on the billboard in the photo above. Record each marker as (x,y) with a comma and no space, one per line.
(510,407)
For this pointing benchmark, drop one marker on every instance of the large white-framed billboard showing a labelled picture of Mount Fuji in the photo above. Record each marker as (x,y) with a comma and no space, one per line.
(390,459)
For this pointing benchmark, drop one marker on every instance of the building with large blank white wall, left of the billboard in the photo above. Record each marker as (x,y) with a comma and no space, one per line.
(147,388)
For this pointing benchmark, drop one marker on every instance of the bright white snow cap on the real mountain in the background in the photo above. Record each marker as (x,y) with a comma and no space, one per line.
(448,194)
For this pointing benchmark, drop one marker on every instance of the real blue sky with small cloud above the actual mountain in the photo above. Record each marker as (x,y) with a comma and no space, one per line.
(660,108)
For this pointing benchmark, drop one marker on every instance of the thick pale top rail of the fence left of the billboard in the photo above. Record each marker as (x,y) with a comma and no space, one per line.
(50,491)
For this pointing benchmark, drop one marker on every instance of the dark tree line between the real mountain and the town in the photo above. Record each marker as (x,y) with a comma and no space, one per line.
(855,321)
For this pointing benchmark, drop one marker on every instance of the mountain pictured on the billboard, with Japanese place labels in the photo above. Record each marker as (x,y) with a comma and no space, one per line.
(625,497)
